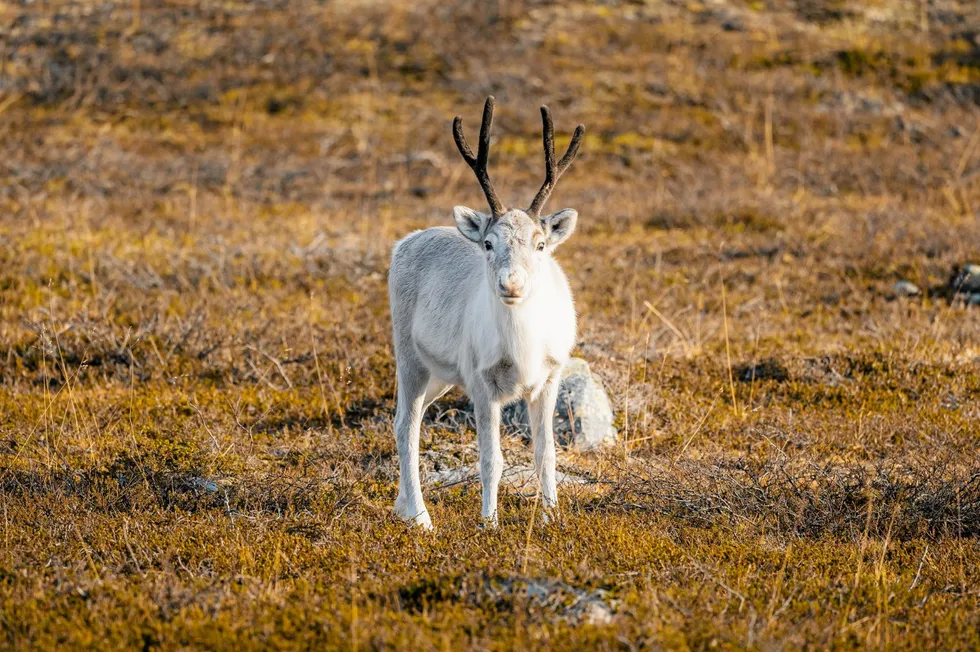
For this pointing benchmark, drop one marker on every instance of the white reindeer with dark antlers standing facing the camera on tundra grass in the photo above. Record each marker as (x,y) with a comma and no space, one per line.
(484,306)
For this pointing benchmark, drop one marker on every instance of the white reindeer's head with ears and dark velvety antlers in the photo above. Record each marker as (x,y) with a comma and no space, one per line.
(516,242)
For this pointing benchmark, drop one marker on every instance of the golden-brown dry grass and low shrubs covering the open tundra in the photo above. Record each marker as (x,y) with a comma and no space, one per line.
(197,205)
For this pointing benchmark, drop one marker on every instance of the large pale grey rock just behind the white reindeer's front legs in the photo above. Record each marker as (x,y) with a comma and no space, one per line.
(583,414)
